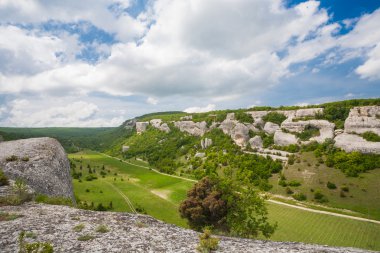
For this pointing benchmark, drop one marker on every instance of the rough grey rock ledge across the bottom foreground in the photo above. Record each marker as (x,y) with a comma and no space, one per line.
(126,233)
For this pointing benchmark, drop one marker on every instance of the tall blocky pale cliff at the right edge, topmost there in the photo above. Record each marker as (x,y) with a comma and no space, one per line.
(363,119)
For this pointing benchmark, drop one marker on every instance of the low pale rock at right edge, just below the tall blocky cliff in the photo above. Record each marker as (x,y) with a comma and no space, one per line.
(353,142)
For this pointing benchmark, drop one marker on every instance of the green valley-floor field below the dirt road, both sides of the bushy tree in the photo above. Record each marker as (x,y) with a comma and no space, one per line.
(160,196)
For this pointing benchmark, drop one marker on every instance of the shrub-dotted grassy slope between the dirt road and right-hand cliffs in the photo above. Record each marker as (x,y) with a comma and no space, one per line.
(363,194)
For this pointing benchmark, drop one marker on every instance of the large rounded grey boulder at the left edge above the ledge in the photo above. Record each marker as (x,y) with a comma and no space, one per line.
(40,162)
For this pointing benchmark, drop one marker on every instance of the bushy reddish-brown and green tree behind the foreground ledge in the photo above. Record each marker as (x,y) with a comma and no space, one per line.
(228,207)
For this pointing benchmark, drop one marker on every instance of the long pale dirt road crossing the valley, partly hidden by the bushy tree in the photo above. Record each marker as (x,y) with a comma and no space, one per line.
(270,200)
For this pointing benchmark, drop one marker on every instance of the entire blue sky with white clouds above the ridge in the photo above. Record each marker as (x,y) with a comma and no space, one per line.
(98,63)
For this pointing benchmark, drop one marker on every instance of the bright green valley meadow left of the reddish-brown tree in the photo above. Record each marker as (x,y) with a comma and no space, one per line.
(157,194)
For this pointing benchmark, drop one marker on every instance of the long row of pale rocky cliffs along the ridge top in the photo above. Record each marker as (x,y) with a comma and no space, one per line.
(360,120)
